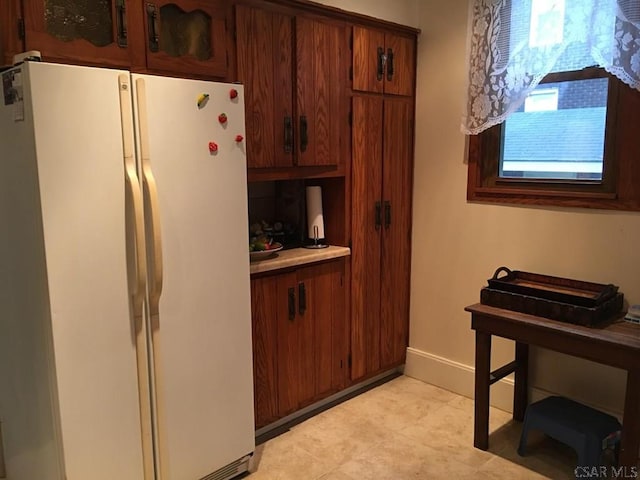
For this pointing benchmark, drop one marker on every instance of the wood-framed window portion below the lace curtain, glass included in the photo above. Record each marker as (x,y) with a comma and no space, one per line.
(586,156)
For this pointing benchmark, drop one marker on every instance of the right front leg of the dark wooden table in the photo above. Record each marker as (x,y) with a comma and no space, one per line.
(630,441)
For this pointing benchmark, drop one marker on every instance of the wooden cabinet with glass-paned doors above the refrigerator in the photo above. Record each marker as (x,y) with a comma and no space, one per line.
(180,37)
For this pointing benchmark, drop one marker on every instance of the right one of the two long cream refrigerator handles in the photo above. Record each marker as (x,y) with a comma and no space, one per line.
(150,191)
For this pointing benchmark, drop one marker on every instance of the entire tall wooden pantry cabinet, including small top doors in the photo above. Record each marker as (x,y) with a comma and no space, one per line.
(381,189)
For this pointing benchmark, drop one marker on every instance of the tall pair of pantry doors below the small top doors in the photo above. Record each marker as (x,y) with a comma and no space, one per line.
(381,232)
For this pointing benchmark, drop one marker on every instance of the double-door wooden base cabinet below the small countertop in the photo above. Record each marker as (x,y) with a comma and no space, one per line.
(300,338)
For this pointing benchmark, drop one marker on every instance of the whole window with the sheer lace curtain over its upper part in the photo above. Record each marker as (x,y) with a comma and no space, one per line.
(570,138)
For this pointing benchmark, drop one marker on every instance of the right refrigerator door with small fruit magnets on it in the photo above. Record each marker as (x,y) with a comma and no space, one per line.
(202,335)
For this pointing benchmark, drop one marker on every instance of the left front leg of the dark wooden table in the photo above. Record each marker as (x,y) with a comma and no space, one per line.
(481,414)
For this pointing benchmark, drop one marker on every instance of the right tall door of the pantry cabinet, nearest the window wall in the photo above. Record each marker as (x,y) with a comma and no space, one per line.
(396,238)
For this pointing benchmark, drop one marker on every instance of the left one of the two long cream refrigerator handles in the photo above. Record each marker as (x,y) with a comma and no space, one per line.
(138,284)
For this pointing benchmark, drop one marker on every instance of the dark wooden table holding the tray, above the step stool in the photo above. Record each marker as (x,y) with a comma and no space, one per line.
(616,343)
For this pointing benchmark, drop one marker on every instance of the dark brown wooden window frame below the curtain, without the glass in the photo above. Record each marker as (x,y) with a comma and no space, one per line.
(620,185)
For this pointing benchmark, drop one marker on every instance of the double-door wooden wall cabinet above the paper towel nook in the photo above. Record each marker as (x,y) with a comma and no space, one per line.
(294,70)
